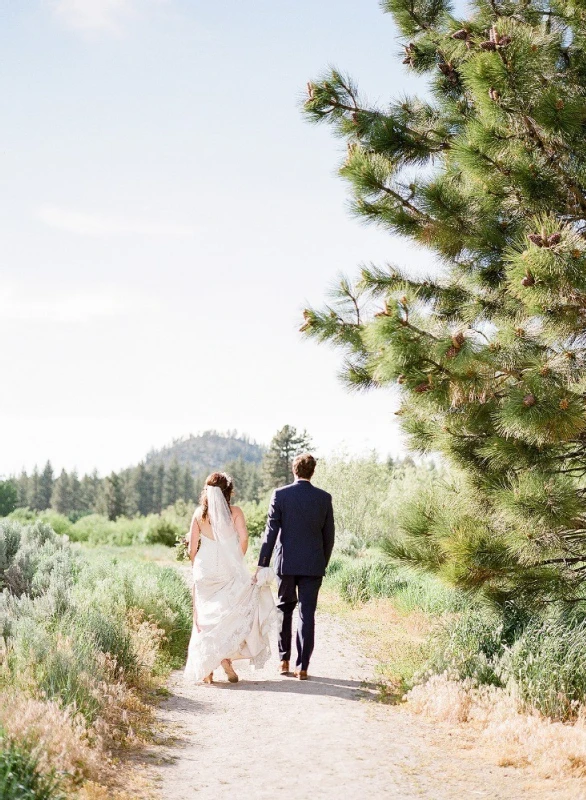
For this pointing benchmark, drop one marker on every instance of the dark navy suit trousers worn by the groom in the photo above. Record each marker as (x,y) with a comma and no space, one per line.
(302,589)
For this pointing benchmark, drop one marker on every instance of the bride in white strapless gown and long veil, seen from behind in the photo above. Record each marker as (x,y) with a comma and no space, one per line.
(232,616)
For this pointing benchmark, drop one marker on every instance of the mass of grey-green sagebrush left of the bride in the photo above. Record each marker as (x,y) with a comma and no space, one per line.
(61,615)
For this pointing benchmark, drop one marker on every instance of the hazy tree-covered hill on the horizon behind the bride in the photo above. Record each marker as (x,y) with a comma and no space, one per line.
(208,451)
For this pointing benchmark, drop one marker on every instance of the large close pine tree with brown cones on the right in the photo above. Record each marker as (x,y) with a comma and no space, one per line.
(489,172)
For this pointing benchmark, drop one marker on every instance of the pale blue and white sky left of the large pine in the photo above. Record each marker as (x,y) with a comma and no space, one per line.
(166,215)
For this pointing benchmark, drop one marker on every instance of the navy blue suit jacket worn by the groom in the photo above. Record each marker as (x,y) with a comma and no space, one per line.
(300,528)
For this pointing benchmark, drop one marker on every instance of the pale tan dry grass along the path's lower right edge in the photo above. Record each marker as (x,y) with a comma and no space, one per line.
(553,749)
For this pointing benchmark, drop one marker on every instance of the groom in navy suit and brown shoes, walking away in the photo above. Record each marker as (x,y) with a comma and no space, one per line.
(301,525)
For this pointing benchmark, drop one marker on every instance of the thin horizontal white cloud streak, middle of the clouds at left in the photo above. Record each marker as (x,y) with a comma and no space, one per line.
(84,224)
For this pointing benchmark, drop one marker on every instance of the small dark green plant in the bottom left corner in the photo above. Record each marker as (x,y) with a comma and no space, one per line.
(19,777)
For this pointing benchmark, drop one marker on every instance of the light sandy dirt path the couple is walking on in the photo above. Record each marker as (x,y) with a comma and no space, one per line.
(273,737)
